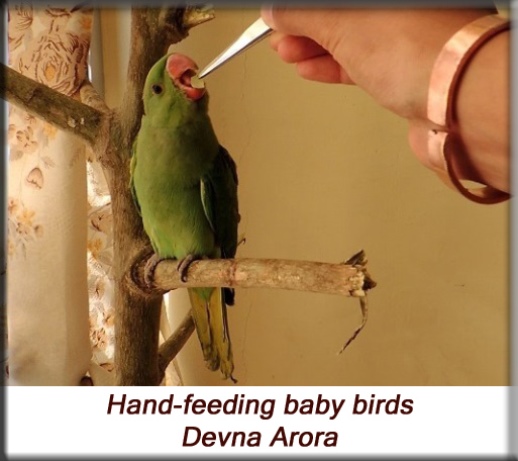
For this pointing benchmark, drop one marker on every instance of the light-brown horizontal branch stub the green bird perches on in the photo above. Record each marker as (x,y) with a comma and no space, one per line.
(316,277)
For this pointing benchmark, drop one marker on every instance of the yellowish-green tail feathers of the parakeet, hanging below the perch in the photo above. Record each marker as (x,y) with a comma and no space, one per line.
(210,318)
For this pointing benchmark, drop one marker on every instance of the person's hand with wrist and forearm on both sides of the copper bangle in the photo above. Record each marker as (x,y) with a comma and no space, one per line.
(390,54)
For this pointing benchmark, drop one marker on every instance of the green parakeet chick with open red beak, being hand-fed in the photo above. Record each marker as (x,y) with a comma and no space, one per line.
(185,186)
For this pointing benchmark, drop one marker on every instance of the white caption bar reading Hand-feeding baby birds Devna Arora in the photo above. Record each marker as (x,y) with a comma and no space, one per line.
(257,420)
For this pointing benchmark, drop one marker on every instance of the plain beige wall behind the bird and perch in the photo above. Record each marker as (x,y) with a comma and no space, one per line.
(324,172)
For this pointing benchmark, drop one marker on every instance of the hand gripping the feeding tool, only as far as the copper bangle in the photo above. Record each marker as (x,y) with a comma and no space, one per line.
(389,53)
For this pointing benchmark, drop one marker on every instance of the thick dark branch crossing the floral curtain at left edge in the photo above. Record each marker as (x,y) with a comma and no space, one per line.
(54,107)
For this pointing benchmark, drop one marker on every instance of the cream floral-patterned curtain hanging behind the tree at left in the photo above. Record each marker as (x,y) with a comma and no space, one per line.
(49,281)
